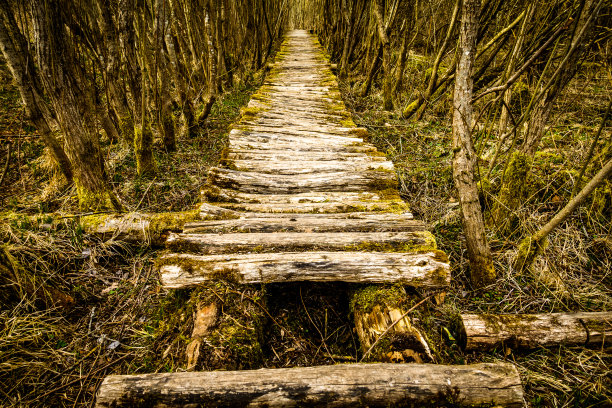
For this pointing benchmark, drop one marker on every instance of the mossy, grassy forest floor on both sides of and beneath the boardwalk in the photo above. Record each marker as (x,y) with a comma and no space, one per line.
(115,318)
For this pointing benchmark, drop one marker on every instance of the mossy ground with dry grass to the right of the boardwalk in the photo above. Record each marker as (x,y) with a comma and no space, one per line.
(573,274)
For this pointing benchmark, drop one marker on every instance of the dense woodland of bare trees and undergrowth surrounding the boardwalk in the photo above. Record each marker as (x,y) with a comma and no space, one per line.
(495,113)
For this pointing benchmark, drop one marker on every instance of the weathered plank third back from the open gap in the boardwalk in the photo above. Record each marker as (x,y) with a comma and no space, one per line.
(331,223)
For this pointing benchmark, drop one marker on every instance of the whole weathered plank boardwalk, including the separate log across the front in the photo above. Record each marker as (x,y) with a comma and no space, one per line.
(301,196)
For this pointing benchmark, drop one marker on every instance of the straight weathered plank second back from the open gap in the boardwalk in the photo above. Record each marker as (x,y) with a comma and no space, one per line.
(207,243)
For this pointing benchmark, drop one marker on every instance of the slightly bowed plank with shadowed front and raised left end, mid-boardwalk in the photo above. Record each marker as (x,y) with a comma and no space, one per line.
(261,183)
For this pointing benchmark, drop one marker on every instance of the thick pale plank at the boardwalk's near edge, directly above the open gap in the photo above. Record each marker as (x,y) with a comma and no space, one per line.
(429,269)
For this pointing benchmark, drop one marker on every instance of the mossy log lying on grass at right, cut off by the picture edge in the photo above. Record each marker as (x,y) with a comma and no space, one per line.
(485,331)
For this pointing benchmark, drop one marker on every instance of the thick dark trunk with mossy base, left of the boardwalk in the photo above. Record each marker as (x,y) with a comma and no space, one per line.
(58,62)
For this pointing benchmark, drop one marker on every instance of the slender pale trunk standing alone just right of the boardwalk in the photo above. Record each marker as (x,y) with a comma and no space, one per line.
(464,158)
